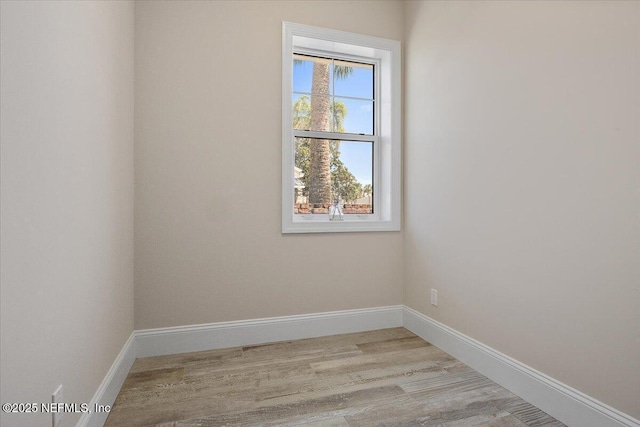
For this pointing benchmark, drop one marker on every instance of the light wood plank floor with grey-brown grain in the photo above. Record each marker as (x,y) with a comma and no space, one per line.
(388,377)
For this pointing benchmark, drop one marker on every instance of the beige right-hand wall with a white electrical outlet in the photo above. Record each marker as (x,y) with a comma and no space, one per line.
(522,151)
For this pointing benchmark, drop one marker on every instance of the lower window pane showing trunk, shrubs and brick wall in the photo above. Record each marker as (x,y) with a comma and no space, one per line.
(326,170)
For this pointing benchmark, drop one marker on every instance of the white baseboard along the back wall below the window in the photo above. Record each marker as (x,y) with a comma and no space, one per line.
(182,339)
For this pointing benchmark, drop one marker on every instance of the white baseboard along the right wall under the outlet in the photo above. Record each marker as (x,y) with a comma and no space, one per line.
(562,402)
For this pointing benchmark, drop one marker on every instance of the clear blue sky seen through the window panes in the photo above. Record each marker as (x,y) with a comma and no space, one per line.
(357,156)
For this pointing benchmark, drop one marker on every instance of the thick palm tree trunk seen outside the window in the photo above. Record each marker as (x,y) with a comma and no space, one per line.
(320,167)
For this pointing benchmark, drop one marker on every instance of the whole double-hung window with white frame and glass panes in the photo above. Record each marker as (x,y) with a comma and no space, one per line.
(341,131)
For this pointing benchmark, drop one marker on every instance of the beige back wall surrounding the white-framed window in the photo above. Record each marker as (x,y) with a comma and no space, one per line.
(208,242)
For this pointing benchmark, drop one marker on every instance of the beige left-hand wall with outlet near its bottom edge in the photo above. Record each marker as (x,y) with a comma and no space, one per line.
(67,198)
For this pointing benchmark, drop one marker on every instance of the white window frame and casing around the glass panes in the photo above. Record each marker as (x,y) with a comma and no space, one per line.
(385,55)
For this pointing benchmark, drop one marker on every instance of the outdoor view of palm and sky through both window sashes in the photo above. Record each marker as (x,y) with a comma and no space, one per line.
(333,99)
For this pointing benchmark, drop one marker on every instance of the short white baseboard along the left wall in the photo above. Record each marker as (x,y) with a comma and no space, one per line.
(110,386)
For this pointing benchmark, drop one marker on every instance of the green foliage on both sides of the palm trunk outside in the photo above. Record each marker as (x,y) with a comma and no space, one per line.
(343,183)
